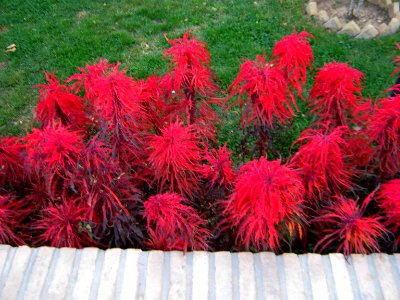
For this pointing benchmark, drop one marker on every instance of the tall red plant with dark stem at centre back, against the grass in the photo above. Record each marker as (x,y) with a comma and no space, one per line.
(191,80)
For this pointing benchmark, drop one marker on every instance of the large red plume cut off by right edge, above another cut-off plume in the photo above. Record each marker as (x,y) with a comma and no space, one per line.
(384,130)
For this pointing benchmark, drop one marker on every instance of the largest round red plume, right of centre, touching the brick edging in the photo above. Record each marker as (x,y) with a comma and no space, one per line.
(267,195)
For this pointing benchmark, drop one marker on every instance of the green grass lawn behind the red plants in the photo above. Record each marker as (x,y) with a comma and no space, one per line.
(63,35)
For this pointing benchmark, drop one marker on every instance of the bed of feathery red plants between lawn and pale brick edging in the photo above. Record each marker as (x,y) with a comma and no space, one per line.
(119,162)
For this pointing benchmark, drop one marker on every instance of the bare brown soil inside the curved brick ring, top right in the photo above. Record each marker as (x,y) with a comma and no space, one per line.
(368,13)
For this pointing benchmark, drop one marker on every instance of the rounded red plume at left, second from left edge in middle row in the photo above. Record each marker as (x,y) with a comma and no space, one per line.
(52,154)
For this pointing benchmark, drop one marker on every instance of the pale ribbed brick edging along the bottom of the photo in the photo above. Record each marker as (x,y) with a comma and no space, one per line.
(90,273)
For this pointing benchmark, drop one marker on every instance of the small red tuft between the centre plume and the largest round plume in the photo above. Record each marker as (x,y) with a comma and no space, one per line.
(220,170)
